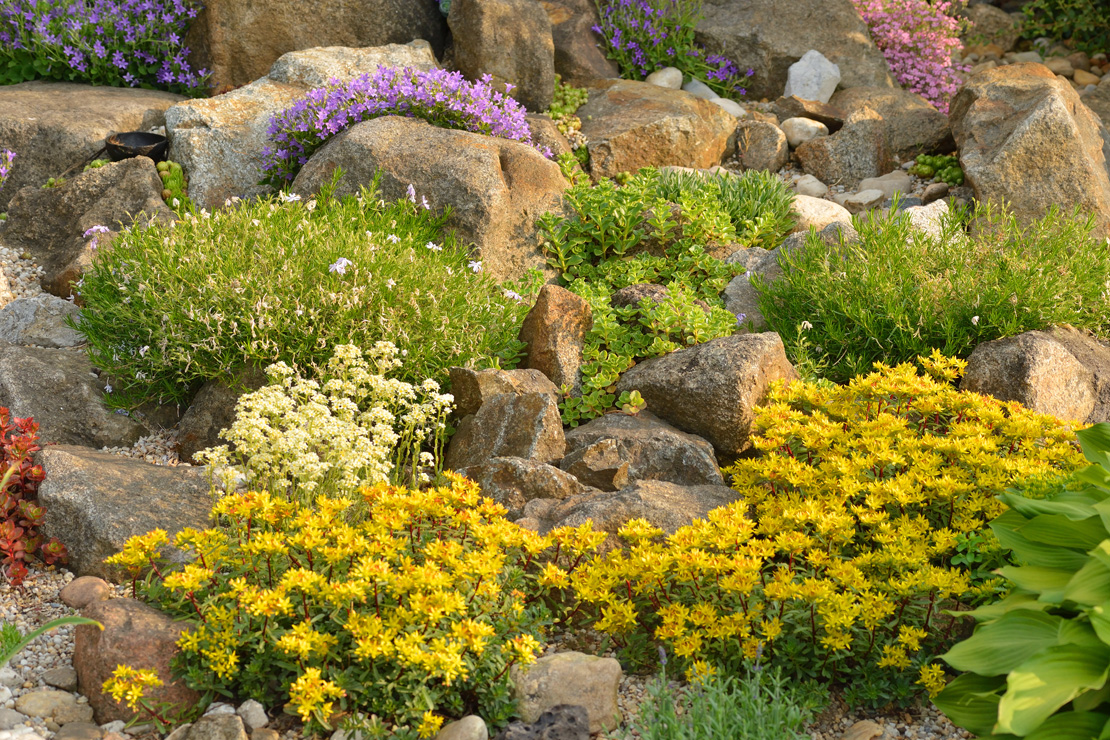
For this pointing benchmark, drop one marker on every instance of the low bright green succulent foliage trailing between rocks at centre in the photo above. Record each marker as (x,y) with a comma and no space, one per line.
(655,229)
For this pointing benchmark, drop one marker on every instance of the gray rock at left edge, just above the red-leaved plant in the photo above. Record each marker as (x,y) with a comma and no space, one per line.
(59,390)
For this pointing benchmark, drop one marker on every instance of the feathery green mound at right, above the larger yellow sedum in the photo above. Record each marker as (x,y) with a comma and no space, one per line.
(900,293)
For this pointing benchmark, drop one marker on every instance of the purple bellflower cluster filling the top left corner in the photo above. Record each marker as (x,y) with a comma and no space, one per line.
(112,43)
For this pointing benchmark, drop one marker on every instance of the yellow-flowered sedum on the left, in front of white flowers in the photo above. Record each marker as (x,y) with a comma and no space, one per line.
(398,614)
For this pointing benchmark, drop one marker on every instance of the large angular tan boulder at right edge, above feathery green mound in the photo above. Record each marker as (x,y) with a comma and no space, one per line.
(1026,138)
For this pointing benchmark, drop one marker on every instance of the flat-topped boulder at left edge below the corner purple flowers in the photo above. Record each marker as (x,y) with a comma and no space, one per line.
(55,127)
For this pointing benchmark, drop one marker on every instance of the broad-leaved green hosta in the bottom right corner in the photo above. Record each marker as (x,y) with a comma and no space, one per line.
(1037,665)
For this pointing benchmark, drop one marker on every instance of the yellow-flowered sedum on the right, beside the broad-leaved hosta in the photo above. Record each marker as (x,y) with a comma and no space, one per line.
(840,561)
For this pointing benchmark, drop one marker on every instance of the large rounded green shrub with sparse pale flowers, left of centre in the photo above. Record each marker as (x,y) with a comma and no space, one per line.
(170,307)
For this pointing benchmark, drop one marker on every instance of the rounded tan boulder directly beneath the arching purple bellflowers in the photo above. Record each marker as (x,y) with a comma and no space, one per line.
(496,188)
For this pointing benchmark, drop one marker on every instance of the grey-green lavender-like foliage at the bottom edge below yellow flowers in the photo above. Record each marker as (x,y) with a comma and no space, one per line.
(763,705)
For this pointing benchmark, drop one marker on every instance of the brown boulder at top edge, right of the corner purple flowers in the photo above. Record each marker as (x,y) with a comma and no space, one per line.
(239,42)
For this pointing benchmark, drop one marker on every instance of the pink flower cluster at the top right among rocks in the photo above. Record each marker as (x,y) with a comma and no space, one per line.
(919,39)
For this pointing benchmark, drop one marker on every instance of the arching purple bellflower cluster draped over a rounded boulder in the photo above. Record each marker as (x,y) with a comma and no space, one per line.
(441,98)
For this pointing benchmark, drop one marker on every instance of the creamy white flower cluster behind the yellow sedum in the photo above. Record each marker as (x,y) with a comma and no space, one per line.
(355,429)
